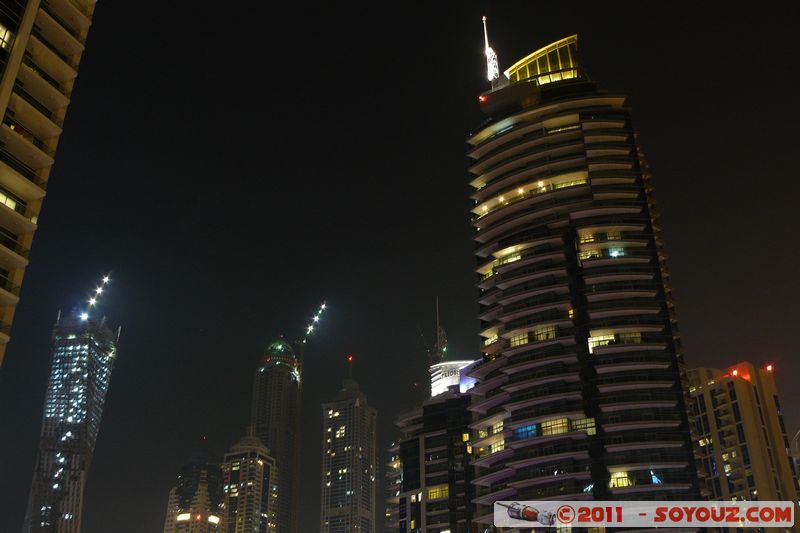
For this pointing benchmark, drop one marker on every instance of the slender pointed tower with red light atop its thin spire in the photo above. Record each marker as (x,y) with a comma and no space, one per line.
(349,463)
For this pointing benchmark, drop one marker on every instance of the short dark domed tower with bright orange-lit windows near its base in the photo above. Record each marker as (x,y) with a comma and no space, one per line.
(195,502)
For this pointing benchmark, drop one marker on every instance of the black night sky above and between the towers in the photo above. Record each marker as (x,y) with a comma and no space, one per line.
(234,167)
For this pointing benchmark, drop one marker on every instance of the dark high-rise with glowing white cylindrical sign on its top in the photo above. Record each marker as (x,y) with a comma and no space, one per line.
(430,468)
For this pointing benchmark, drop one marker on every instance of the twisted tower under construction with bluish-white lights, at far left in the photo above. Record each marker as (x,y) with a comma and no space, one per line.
(84,350)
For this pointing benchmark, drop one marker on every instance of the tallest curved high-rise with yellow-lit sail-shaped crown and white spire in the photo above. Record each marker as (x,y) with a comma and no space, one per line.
(581,391)
